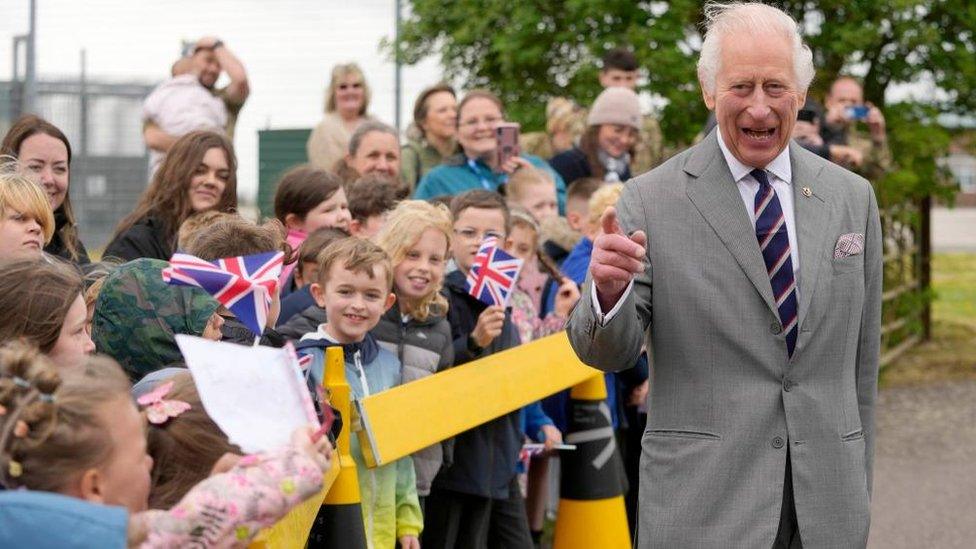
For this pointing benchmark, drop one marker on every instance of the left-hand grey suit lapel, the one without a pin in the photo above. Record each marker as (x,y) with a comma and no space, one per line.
(715,195)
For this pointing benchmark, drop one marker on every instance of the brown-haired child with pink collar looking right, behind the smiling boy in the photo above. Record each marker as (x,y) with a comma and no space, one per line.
(306,199)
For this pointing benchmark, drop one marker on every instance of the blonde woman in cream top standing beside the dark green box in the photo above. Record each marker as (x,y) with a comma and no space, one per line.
(346,103)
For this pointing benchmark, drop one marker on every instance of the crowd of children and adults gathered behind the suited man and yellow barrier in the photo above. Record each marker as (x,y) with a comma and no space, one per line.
(379,234)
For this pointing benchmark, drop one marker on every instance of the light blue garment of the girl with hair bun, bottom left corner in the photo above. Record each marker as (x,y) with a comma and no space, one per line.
(43,520)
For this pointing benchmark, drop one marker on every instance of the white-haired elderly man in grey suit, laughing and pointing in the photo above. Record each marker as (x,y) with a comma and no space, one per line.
(754,269)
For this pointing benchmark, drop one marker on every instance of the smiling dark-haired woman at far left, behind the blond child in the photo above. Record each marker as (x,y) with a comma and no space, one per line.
(42,150)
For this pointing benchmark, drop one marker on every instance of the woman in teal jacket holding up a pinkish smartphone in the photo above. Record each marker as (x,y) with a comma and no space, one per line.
(488,153)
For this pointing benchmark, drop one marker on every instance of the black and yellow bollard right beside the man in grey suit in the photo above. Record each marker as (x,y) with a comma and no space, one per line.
(591,503)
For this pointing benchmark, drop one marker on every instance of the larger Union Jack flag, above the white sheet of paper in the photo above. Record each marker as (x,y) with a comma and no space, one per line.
(244,285)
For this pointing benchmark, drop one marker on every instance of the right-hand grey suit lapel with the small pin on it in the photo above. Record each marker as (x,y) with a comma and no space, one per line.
(812,215)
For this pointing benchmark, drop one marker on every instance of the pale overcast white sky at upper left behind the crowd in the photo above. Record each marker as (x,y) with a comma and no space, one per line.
(287,46)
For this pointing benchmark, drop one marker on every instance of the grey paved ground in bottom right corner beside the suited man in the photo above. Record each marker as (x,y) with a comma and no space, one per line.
(925,467)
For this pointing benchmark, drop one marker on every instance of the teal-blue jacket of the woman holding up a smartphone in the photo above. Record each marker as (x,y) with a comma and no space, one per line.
(456,176)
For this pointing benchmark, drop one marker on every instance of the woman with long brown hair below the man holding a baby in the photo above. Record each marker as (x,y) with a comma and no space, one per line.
(198,174)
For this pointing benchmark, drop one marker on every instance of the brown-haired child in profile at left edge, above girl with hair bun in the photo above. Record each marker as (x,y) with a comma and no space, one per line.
(42,304)
